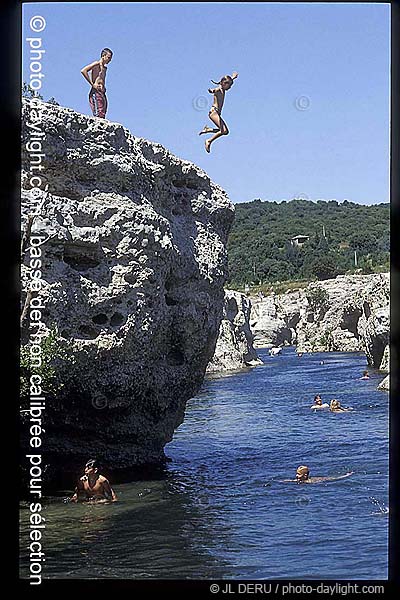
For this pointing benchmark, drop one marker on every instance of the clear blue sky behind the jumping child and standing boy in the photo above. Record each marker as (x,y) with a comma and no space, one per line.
(334,57)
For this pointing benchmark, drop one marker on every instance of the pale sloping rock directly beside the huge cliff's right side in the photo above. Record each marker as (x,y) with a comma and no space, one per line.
(234,349)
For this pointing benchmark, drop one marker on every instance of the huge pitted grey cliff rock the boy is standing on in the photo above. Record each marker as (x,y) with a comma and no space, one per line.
(133,271)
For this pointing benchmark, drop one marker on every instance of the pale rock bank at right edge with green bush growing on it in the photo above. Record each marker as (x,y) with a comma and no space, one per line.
(346,314)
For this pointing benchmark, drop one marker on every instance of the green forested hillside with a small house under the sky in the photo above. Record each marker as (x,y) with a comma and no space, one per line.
(342,238)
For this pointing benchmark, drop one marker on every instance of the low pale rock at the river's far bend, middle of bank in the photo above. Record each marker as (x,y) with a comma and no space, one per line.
(274,319)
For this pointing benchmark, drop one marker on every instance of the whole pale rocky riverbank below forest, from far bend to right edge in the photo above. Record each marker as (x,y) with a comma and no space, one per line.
(346,314)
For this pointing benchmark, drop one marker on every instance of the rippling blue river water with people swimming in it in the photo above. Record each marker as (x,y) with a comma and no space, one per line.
(220,511)
